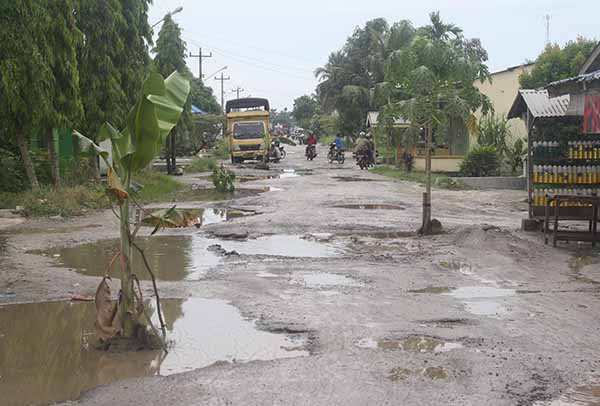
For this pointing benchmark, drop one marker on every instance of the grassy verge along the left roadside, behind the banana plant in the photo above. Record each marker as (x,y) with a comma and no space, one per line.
(77,200)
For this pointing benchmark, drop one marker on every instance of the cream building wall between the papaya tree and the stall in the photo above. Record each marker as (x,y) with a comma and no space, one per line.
(502,92)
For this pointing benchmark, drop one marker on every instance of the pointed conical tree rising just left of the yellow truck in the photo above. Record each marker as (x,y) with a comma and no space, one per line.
(170,56)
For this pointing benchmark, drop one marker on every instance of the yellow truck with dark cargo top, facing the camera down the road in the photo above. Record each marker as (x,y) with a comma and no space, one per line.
(248,129)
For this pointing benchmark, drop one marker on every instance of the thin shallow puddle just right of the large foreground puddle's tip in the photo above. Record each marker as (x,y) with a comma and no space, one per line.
(411,344)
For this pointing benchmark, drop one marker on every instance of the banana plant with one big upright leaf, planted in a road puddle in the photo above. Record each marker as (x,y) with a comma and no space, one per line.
(133,149)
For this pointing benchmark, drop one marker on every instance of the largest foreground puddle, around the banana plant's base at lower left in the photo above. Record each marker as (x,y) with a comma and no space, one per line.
(47,350)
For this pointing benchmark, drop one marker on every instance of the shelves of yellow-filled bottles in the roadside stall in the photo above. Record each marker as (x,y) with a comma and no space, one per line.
(565,167)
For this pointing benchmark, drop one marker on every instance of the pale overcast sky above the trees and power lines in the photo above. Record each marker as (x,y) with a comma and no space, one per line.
(272,47)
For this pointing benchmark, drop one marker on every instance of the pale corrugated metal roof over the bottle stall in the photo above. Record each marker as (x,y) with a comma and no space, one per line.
(539,104)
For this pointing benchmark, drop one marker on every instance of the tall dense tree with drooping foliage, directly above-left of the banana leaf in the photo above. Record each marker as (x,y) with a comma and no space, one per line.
(112,60)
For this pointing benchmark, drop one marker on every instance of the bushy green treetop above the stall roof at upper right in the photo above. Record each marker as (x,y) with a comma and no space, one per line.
(557,63)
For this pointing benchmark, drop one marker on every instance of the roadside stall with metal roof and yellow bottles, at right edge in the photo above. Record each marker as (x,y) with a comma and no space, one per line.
(563,126)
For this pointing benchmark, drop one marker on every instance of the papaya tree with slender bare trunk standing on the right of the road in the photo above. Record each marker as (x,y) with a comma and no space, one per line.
(435,76)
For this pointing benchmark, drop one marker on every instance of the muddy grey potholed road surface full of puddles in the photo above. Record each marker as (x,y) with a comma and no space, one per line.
(361,310)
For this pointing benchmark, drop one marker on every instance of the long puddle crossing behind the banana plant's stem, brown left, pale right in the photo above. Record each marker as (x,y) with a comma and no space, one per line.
(181,257)
